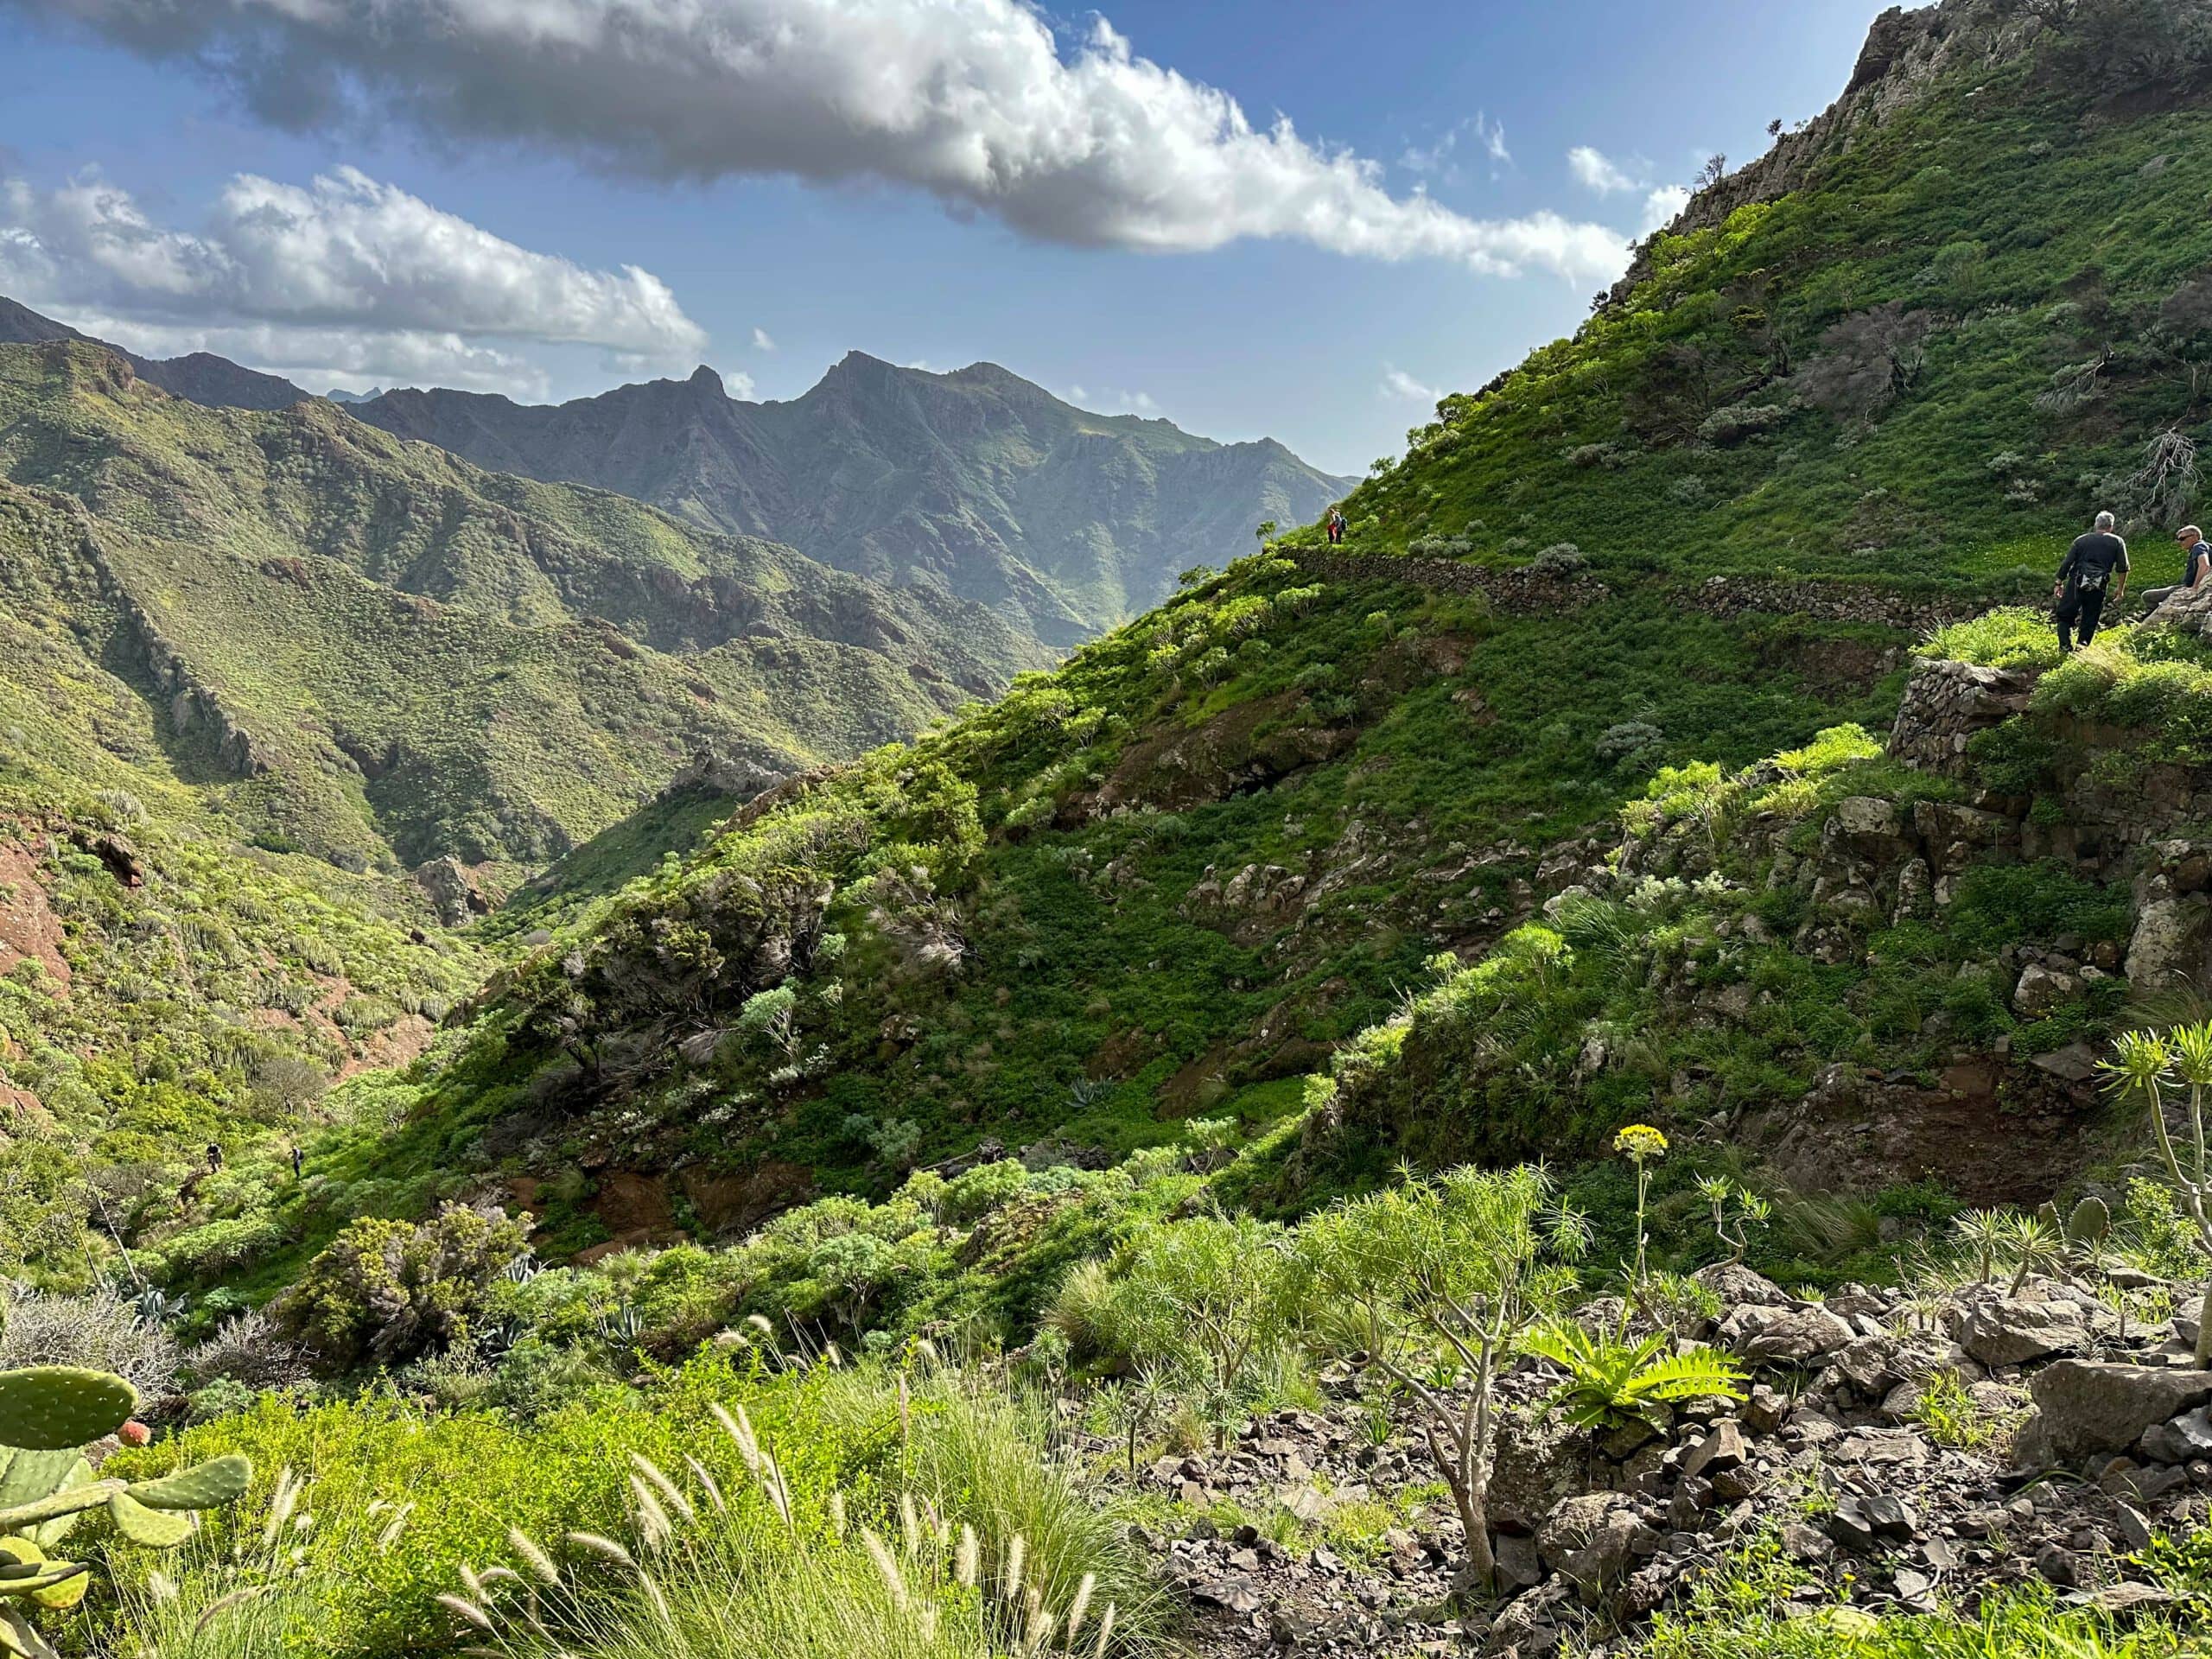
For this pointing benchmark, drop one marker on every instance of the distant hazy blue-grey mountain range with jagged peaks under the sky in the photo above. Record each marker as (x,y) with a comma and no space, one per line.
(972,483)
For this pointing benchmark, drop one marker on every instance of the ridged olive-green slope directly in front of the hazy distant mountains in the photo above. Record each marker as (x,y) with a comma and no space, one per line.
(384,656)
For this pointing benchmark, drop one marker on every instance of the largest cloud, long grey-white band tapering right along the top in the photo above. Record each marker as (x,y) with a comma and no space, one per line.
(970,101)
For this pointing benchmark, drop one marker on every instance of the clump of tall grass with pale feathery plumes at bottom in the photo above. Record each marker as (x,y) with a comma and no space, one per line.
(968,1538)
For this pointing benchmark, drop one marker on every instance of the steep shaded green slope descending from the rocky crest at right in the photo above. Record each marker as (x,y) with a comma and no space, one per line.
(1185,870)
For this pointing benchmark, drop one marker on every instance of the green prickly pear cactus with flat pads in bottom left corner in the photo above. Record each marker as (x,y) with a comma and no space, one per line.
(48,1485)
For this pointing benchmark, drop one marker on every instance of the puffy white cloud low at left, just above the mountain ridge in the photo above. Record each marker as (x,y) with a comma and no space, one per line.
(342,275)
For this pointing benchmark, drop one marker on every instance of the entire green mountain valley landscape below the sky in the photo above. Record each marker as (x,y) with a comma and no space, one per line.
(866,1025)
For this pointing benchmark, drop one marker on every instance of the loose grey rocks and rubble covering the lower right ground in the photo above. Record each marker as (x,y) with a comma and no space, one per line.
(2091,1441)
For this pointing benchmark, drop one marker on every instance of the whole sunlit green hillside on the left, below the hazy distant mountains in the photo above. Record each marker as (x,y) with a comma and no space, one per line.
(255,669)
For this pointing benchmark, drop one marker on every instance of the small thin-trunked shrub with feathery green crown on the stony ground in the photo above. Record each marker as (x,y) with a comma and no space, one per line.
(1459,1266)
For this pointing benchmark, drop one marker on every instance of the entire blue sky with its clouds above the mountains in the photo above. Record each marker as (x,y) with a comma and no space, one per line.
(1282,220)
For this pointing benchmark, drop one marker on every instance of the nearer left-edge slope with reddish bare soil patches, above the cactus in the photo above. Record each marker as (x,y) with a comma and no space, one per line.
(163,985)
